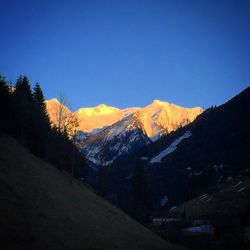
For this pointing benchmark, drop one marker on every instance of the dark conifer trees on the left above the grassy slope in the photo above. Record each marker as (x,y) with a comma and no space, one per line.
(24,116)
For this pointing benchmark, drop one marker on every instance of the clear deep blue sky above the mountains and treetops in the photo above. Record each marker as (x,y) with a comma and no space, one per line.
(127,53)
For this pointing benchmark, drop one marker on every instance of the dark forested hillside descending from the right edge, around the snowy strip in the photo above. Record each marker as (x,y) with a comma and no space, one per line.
(217,149)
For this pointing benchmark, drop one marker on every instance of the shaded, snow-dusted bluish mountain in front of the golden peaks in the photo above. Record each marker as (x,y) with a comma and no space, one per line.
(117,140)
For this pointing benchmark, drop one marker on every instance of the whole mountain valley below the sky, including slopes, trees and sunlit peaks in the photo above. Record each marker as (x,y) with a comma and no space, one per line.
(182,173)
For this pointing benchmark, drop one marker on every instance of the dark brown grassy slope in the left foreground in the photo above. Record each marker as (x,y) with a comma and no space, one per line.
(39,209)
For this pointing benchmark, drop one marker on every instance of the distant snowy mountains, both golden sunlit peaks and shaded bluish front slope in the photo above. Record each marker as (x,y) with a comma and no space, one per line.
(106,134)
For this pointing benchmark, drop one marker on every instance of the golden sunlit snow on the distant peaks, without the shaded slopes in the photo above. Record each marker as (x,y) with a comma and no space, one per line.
(155,118)
